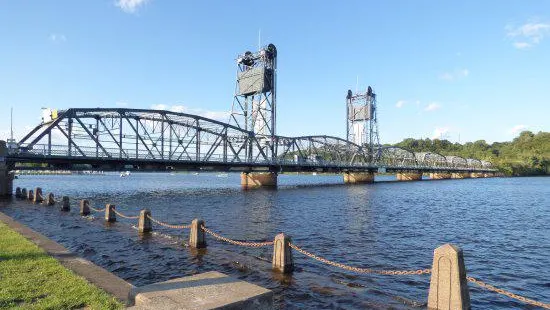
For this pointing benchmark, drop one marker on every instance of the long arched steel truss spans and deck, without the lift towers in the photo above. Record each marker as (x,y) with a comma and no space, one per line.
(119,139)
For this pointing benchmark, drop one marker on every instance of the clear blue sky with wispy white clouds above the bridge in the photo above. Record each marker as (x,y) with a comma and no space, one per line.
(465,70)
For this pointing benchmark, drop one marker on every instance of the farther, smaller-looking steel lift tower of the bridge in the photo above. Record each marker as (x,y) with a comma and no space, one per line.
(362,126)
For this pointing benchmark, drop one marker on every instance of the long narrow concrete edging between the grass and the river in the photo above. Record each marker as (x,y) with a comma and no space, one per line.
(94,274)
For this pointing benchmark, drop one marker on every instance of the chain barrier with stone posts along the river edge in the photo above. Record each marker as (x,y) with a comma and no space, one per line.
(448,283)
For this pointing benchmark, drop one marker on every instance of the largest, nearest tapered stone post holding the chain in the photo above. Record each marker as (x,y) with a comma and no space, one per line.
(448,285)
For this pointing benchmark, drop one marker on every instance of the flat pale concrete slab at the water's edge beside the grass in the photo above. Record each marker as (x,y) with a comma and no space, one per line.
(209,290)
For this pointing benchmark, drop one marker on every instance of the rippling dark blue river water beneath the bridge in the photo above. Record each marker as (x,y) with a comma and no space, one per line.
(502,225)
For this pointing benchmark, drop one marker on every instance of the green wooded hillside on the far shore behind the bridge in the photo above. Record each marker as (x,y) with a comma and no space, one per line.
(527,154)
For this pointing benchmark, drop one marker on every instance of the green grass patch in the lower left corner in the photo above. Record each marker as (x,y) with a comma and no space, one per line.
(31,279)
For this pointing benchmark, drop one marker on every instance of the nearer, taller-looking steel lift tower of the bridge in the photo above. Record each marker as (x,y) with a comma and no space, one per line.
(254,104)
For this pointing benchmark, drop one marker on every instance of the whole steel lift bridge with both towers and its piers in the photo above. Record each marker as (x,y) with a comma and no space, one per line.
(123,139)
